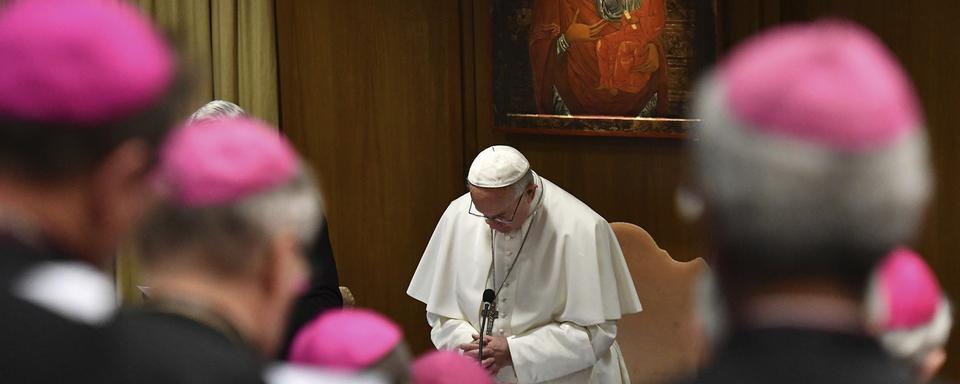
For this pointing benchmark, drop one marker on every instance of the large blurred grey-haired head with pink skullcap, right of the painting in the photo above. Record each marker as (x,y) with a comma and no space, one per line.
(811,162)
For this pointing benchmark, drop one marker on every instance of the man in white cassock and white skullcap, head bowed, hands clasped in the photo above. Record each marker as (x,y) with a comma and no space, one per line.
(559,277)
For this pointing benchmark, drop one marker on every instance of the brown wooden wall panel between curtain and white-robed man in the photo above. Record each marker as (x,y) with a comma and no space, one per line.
(370,93)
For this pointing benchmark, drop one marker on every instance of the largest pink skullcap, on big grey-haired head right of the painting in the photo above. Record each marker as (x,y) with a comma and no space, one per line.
(831,83)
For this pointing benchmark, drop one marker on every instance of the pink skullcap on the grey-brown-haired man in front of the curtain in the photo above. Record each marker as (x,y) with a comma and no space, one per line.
(221,161)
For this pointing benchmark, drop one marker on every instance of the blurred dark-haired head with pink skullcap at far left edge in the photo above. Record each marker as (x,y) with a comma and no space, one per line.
(86,96)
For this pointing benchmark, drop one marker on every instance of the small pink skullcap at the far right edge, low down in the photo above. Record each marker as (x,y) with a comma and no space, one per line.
(907,289)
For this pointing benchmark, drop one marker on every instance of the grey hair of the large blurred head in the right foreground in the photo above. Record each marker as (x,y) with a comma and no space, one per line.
(794,205)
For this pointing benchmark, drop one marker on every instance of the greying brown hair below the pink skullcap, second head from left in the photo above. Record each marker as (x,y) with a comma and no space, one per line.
(228,238)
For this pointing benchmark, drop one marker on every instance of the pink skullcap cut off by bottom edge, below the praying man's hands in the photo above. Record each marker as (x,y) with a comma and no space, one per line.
(448,367)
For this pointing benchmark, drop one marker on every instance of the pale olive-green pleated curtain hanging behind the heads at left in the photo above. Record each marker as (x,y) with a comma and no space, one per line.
(228,48)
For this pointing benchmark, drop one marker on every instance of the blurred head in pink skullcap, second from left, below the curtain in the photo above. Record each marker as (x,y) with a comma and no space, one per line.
(239,207)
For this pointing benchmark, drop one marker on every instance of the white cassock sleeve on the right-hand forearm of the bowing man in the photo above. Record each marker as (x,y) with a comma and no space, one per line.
(559,349)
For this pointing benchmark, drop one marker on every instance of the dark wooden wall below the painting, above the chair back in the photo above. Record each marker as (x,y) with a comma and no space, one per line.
(631,180)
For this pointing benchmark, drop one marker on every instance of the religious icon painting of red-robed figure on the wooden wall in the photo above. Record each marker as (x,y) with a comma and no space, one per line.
(599,67)
